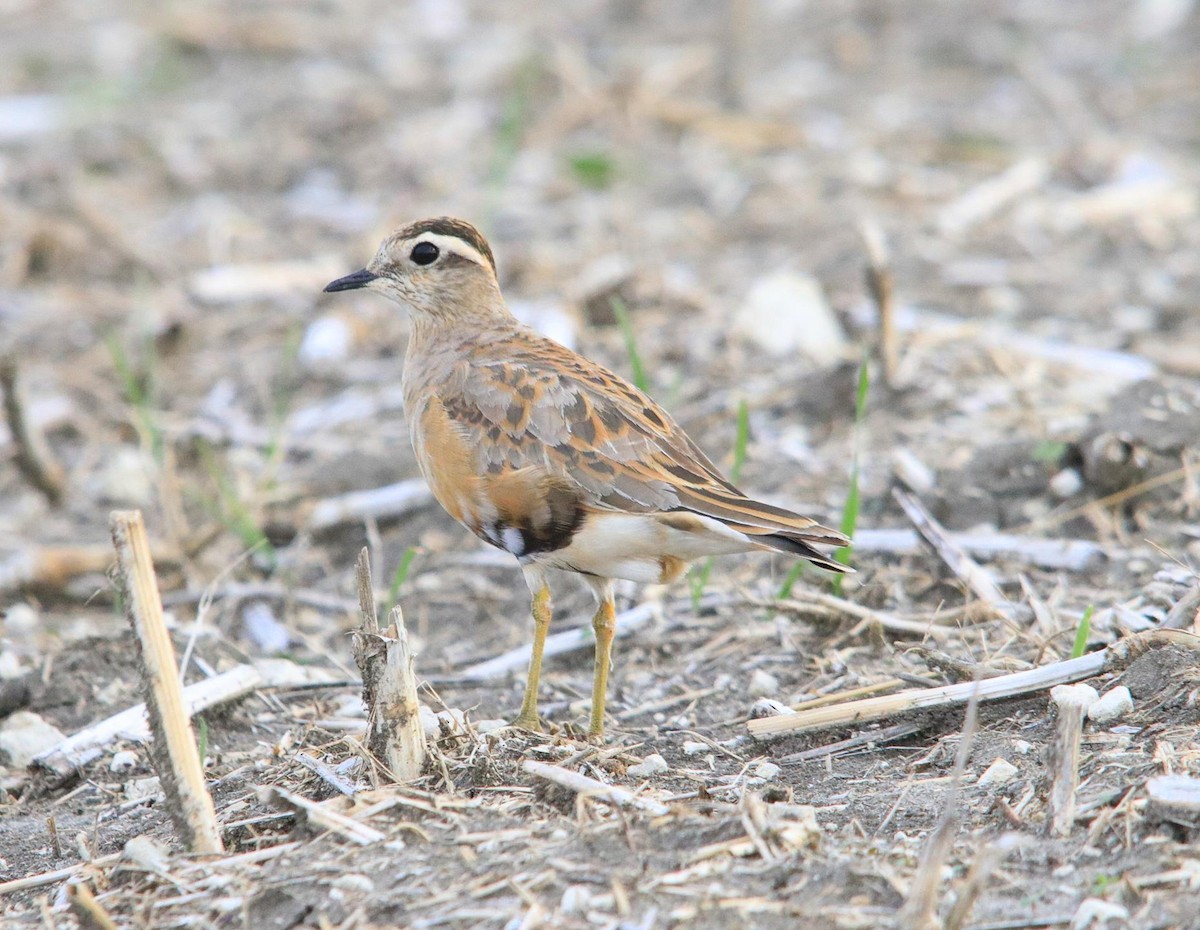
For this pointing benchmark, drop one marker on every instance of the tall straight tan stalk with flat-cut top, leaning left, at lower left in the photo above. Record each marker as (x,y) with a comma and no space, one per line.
(173,745)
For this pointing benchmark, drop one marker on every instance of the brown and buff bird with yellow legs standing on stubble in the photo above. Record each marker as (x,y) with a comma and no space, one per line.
(550,457)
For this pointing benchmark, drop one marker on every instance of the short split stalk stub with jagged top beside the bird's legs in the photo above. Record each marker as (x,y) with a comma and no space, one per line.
(395,735)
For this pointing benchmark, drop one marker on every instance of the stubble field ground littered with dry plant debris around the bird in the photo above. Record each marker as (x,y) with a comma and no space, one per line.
(1017,182)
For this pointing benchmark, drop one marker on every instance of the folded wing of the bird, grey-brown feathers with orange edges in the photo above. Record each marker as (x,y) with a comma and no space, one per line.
(531,403)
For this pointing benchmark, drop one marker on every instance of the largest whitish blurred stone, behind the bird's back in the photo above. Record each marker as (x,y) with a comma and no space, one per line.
(787,314)
